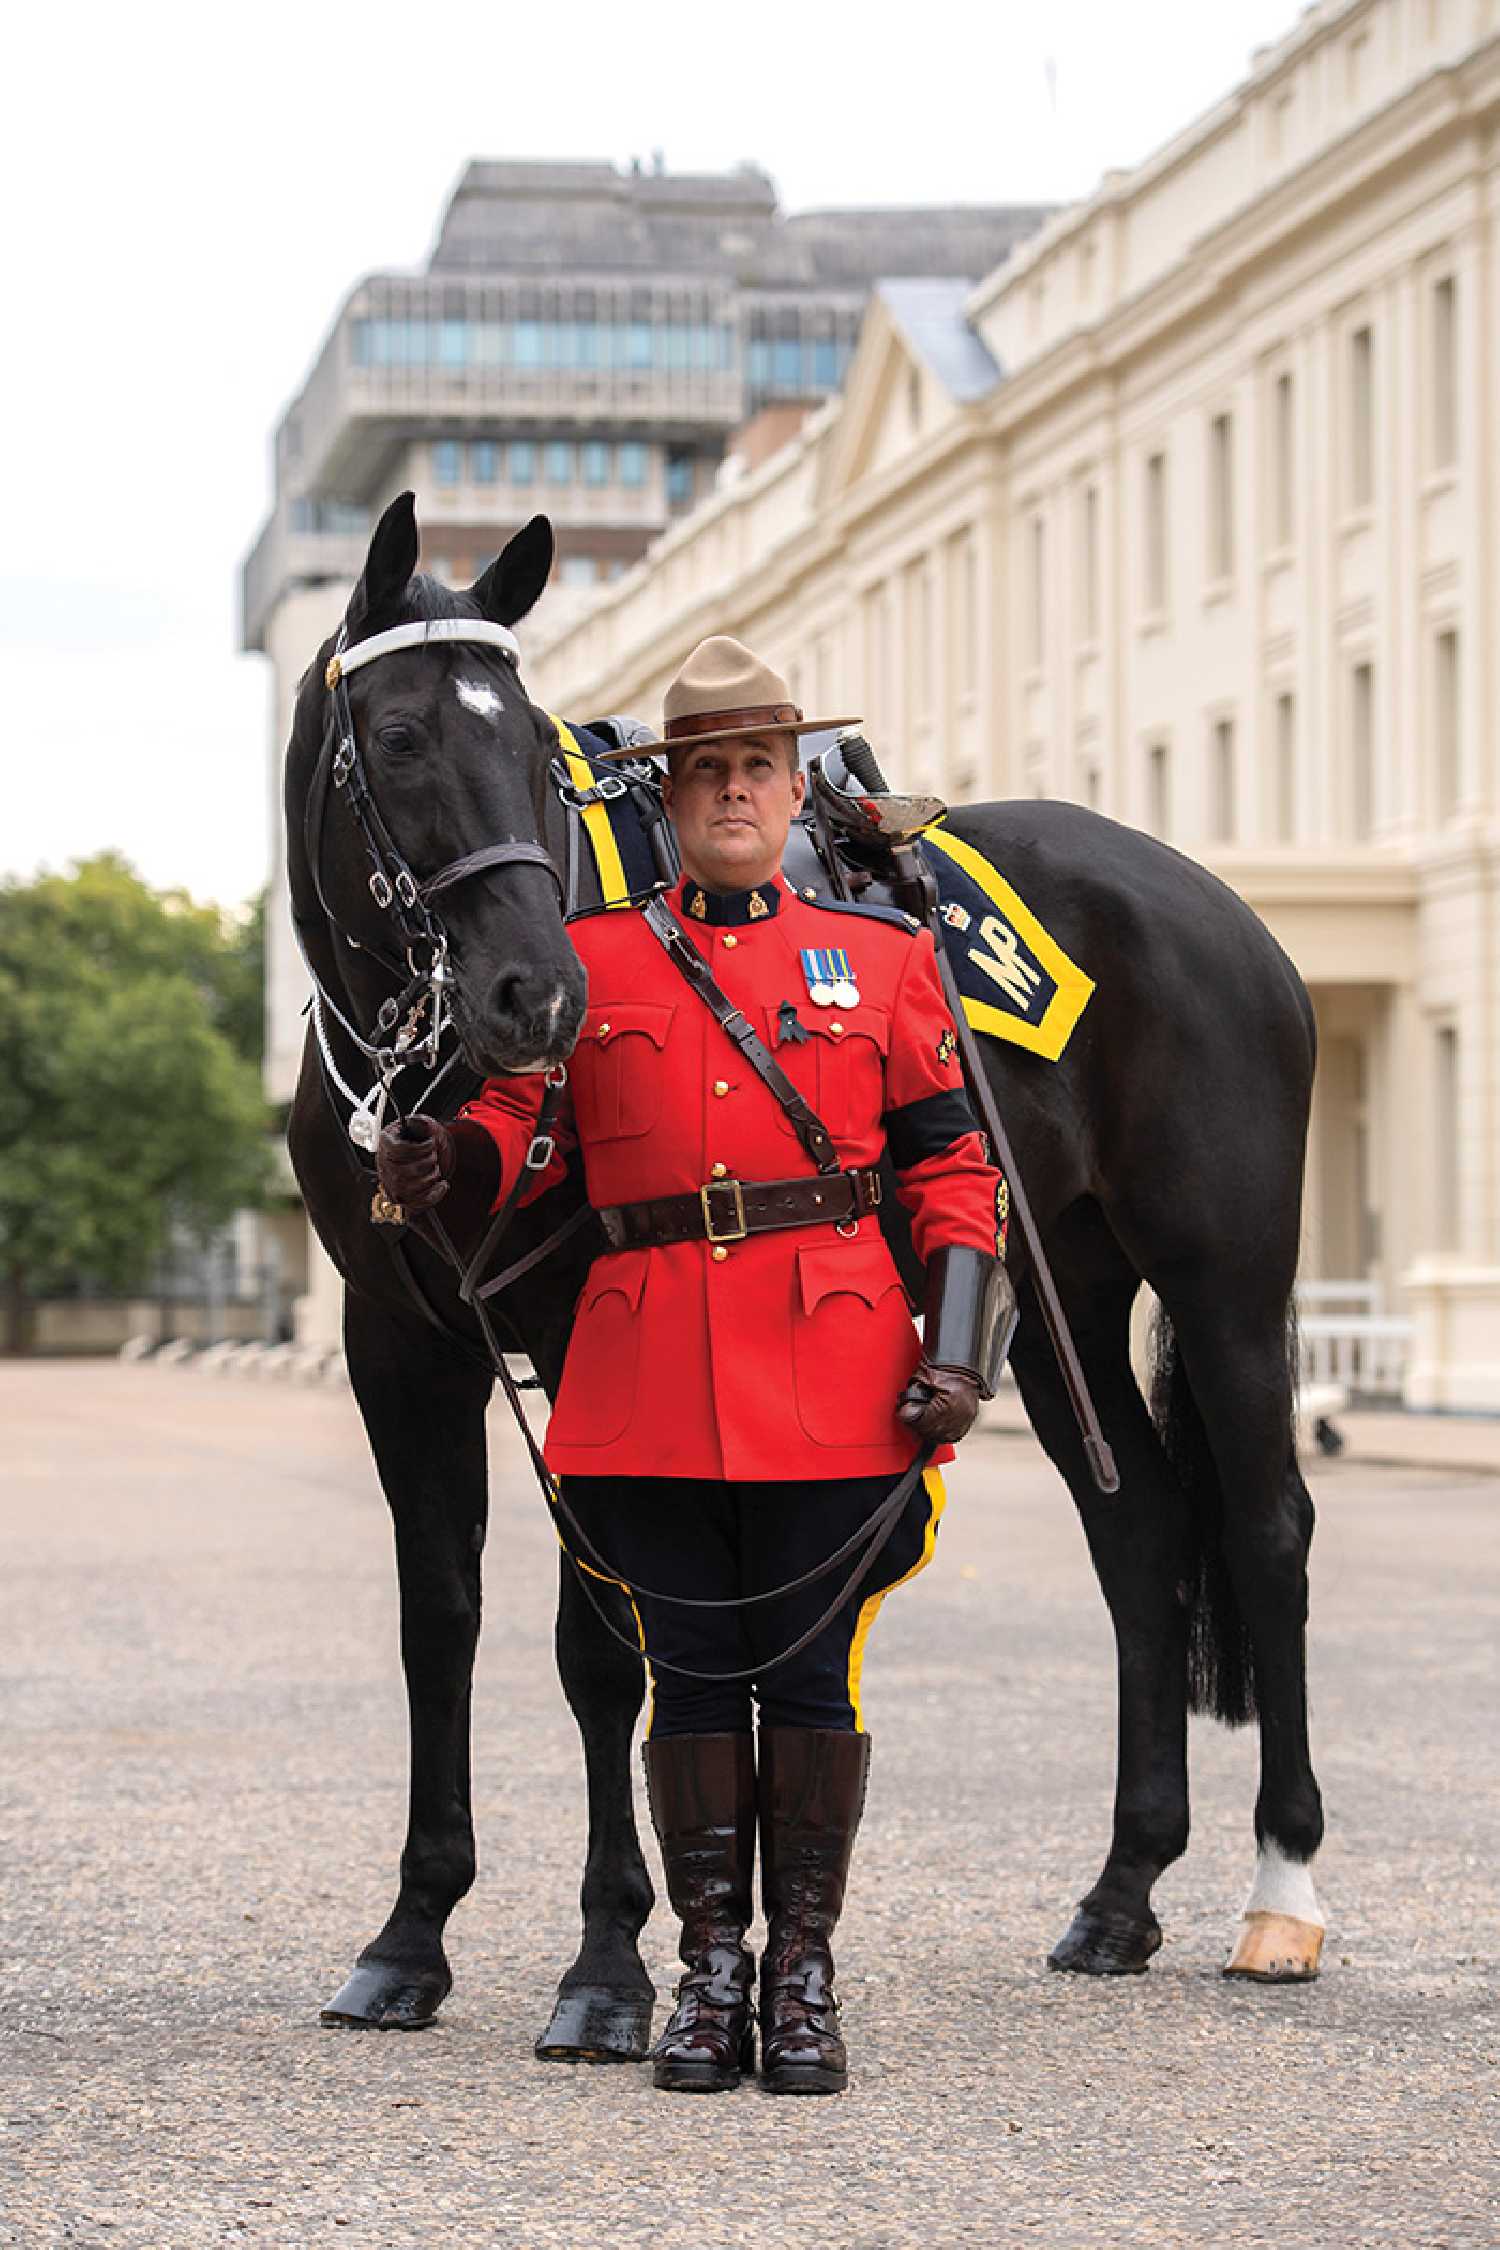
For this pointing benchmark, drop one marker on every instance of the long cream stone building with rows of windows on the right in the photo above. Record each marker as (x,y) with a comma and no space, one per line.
(1191,514)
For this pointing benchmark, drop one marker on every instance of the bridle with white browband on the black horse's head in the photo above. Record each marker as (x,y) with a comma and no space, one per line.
(397,890)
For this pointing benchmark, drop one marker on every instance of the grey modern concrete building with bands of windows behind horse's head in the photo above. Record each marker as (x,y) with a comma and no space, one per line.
(581,341)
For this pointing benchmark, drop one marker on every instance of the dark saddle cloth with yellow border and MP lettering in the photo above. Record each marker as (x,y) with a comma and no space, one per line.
(1015,980)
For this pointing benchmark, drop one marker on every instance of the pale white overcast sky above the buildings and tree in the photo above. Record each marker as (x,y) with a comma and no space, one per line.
(190,195)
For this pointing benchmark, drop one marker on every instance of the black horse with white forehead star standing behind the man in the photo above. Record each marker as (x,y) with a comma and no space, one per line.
(1166,1146)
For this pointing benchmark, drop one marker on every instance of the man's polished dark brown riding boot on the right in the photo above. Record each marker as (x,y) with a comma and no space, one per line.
(813,1788)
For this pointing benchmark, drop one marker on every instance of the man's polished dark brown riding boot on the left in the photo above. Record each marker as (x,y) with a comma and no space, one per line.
(703,1799)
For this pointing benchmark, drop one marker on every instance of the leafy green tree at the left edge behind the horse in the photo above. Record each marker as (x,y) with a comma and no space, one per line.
(129,1095)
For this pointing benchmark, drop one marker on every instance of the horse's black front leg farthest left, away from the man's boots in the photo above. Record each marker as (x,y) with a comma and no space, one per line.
(424,1412)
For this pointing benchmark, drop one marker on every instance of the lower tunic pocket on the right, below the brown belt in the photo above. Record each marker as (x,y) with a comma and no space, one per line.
(853,1344)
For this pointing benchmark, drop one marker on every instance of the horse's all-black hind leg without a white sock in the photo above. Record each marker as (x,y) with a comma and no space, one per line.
(1141,1547)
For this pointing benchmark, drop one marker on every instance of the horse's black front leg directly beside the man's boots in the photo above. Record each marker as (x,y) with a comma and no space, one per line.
(606,1999)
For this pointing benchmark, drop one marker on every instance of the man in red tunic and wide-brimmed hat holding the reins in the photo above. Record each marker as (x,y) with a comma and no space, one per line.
(743,1383)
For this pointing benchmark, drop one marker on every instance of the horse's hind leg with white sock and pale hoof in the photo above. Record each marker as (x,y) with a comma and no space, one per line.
(1240,1374)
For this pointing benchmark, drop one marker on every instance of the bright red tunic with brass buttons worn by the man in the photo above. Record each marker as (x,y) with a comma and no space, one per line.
(779,1356)
